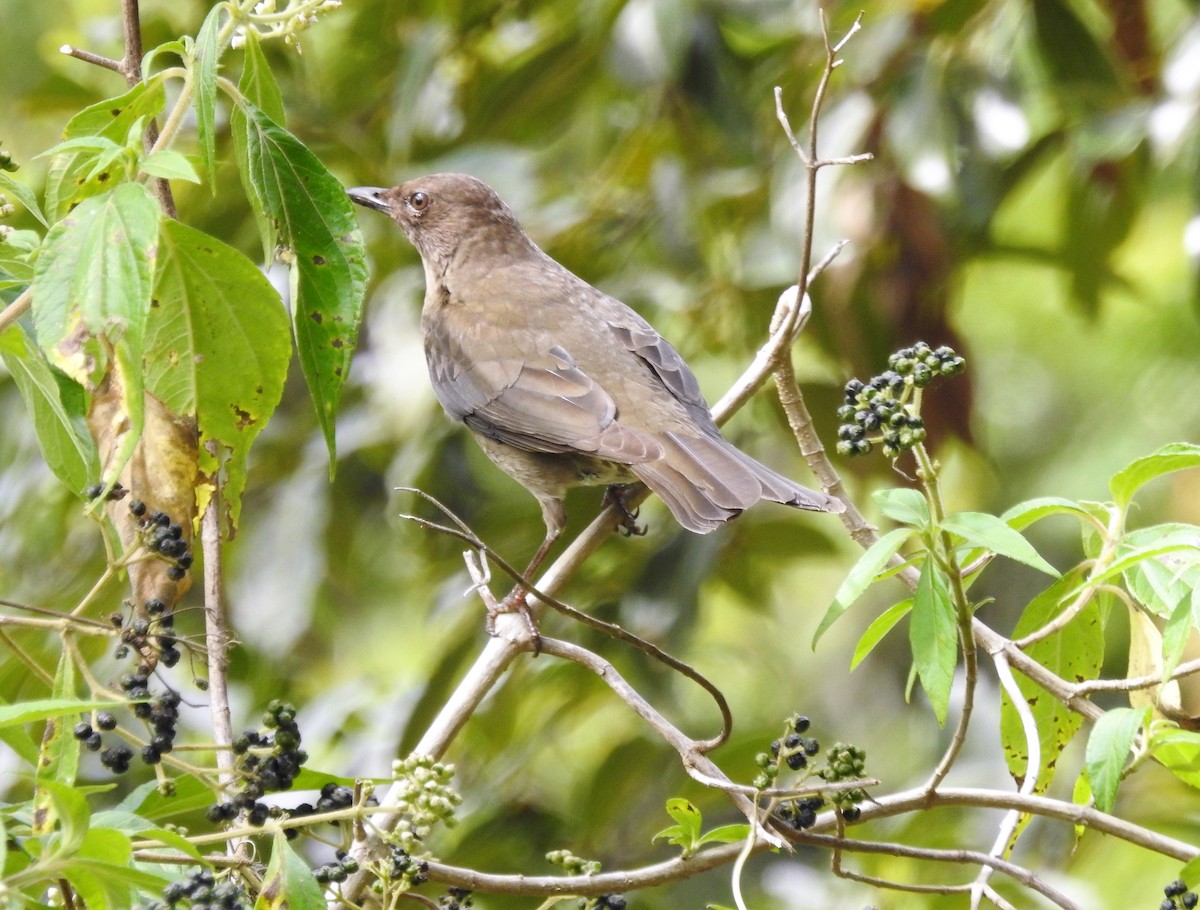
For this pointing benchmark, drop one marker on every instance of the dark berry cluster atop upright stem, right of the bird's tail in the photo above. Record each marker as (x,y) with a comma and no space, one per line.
(886,410)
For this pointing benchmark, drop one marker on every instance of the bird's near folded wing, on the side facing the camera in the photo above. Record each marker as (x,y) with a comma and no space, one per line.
(536,403)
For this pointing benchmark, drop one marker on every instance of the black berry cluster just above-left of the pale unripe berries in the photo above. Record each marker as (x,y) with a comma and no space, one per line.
(268,761)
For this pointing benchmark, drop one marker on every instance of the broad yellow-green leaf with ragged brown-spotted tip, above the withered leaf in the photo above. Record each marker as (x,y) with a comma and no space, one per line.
(218,348)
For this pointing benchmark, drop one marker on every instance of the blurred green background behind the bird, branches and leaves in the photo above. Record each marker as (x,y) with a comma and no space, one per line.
(1033,202)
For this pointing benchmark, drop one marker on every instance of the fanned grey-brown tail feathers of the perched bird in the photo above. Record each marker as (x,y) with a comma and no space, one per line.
(706,482)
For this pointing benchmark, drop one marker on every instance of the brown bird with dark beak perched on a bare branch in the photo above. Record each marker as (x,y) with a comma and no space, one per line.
(561,384)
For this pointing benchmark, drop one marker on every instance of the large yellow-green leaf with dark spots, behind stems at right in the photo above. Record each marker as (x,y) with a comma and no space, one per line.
(1076,652)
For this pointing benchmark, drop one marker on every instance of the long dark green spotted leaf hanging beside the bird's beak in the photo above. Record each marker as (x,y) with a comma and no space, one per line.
(315,220)
